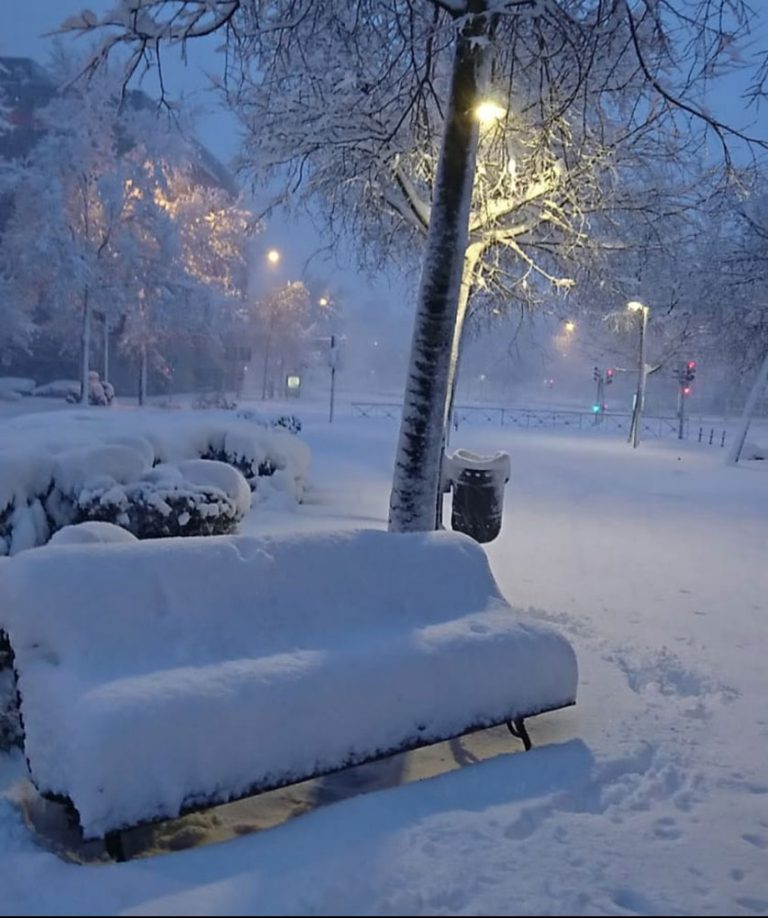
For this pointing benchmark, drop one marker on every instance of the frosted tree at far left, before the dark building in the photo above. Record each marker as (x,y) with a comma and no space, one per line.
(71,216)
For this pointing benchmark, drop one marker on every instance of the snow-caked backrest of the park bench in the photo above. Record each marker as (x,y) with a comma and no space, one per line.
(109,610)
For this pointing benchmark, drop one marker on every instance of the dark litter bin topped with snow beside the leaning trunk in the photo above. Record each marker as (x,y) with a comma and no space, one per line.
(478,492)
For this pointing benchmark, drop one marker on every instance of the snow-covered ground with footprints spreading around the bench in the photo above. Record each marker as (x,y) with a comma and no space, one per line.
(649,797)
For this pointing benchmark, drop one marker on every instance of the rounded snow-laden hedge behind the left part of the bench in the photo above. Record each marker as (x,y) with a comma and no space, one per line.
(142,470)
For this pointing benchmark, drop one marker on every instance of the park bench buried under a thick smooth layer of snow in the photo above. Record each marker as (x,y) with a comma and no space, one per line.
(160,677)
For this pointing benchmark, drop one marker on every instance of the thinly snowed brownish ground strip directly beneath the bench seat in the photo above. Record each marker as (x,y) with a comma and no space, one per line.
(55,831)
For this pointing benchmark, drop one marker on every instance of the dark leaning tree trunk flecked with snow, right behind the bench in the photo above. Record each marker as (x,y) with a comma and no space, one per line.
(416,479)
